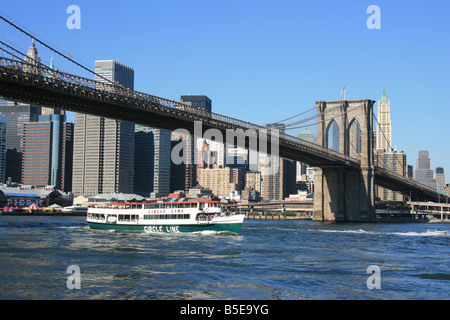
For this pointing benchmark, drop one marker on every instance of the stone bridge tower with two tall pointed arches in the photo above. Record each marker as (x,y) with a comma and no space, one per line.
(343,194)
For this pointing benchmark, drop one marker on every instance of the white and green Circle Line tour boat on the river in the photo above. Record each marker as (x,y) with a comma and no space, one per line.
(174,216)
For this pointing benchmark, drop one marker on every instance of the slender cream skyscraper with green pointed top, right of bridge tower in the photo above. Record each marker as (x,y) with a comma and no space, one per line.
(384,126)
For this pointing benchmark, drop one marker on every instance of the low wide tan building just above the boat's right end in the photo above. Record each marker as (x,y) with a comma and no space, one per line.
(220,180)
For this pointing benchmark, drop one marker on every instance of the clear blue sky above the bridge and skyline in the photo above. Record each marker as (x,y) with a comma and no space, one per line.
(263,61)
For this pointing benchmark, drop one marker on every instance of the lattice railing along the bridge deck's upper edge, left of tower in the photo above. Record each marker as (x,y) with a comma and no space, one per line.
(54,76)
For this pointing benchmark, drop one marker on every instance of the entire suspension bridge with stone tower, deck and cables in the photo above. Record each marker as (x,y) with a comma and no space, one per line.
(345,179)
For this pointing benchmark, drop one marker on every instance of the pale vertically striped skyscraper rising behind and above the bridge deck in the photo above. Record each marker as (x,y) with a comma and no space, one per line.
(103,147)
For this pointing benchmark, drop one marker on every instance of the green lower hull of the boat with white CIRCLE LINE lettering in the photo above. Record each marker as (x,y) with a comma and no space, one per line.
(226,227)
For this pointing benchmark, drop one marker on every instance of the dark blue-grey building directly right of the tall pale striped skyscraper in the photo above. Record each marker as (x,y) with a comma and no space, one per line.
(152,162)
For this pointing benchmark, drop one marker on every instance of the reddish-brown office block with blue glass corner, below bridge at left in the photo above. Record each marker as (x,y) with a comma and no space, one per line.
(47,152)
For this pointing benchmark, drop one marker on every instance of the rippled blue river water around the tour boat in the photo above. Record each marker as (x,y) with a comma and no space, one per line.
(269,260)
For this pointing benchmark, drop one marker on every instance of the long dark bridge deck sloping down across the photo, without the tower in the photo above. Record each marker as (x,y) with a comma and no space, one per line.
(49,87)
